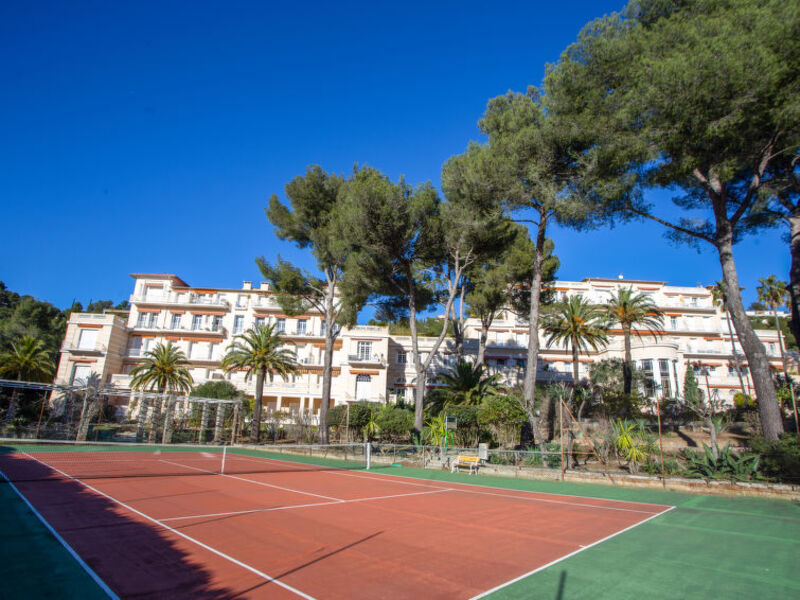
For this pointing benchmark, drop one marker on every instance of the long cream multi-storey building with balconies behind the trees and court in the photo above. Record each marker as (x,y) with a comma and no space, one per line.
(369,363)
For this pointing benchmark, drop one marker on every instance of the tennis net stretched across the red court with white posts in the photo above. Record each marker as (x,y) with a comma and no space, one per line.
(38,459)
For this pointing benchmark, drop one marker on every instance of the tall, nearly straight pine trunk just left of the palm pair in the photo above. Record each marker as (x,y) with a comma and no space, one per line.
(529,387)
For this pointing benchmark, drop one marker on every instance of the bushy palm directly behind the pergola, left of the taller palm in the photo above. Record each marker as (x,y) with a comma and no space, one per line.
(163,370)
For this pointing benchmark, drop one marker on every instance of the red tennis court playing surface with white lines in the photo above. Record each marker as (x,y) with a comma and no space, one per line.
(308,533)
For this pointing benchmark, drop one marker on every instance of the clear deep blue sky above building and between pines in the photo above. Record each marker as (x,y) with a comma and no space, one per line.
(147,137)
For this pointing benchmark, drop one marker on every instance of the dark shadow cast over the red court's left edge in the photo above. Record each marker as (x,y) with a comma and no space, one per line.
(133,556)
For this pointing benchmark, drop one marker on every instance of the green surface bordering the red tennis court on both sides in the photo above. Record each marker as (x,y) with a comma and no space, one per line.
(707,547)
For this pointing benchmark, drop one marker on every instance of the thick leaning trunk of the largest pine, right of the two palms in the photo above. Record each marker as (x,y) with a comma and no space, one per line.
(771,422)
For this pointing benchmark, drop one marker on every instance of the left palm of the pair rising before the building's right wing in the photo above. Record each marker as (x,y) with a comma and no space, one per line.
(578,325)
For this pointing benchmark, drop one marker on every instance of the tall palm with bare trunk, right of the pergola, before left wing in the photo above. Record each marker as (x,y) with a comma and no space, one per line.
(258,350)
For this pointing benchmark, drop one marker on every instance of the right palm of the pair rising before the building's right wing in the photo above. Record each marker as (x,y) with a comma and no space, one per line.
(636,313)
